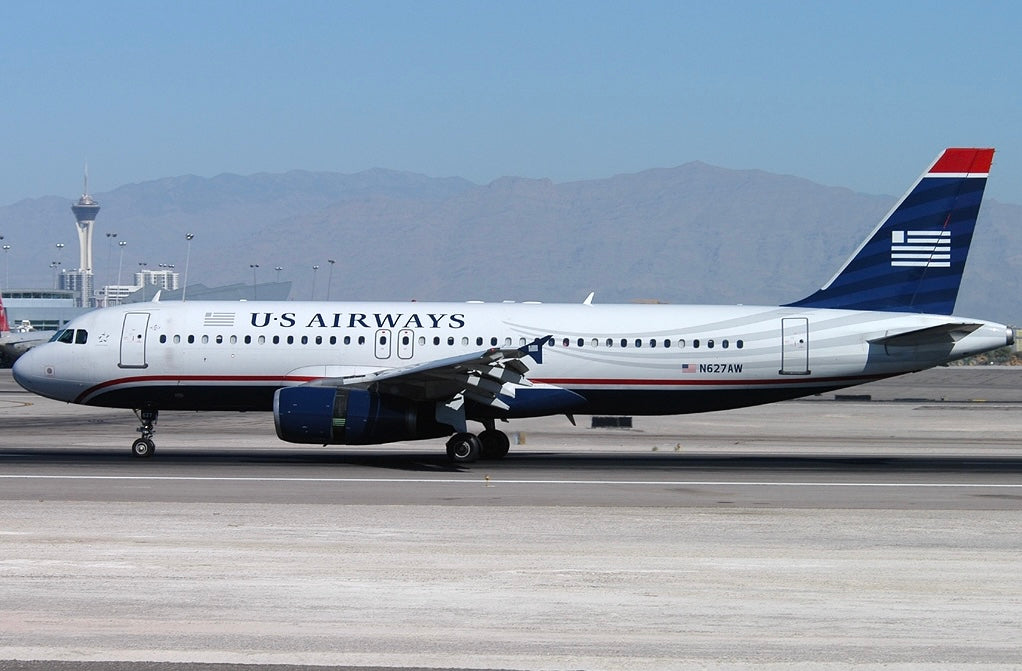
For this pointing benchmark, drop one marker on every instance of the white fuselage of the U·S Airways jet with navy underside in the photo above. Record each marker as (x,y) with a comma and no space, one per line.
(623,359)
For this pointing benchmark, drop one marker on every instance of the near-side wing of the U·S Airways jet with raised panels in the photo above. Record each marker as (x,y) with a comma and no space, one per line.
(481,377)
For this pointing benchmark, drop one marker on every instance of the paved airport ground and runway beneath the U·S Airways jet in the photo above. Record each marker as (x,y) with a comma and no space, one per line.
(801,535)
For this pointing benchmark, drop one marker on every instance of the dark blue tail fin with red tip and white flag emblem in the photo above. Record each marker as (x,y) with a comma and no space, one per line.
(913,261)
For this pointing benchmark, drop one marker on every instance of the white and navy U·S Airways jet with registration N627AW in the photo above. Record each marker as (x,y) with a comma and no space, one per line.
(374,373)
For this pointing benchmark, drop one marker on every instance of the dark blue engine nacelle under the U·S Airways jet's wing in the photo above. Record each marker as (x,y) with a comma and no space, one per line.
(351,417)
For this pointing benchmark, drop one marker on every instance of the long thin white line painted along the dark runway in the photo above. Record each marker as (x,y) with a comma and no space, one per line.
(493,482)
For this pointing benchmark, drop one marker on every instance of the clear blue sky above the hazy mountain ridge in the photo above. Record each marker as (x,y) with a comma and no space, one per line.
(856,94)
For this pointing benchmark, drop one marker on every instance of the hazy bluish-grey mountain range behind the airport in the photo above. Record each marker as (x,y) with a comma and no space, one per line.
(695,233)
